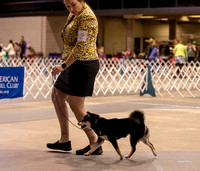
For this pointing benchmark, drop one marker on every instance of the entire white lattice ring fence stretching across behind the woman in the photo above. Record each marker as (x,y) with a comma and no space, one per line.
(116,77)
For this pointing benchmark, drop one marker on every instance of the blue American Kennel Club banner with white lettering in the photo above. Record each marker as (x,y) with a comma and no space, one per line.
(11,82)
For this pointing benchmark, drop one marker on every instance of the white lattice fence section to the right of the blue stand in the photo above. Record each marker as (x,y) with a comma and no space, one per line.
(187,83)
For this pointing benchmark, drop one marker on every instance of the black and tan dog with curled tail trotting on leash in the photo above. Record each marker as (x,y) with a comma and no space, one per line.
(113,129)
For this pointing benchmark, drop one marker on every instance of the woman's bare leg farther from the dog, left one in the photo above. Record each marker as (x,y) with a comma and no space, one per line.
(59,101)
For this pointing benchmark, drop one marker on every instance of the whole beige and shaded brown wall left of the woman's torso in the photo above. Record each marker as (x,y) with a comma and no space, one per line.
(42,33)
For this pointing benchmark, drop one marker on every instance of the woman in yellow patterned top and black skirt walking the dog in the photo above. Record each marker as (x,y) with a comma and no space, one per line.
(78,71)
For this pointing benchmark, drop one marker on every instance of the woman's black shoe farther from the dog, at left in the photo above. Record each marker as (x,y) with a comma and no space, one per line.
(60,146)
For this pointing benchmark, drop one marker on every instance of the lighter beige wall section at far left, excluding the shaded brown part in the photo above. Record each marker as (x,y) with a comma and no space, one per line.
(14,28)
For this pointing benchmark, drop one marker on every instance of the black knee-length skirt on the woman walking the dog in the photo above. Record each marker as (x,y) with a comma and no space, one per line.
(78,79)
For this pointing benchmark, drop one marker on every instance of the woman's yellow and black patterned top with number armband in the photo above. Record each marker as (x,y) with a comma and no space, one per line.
(79,36)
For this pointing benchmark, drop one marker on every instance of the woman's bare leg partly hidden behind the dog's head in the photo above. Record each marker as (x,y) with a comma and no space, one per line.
(77,106)
